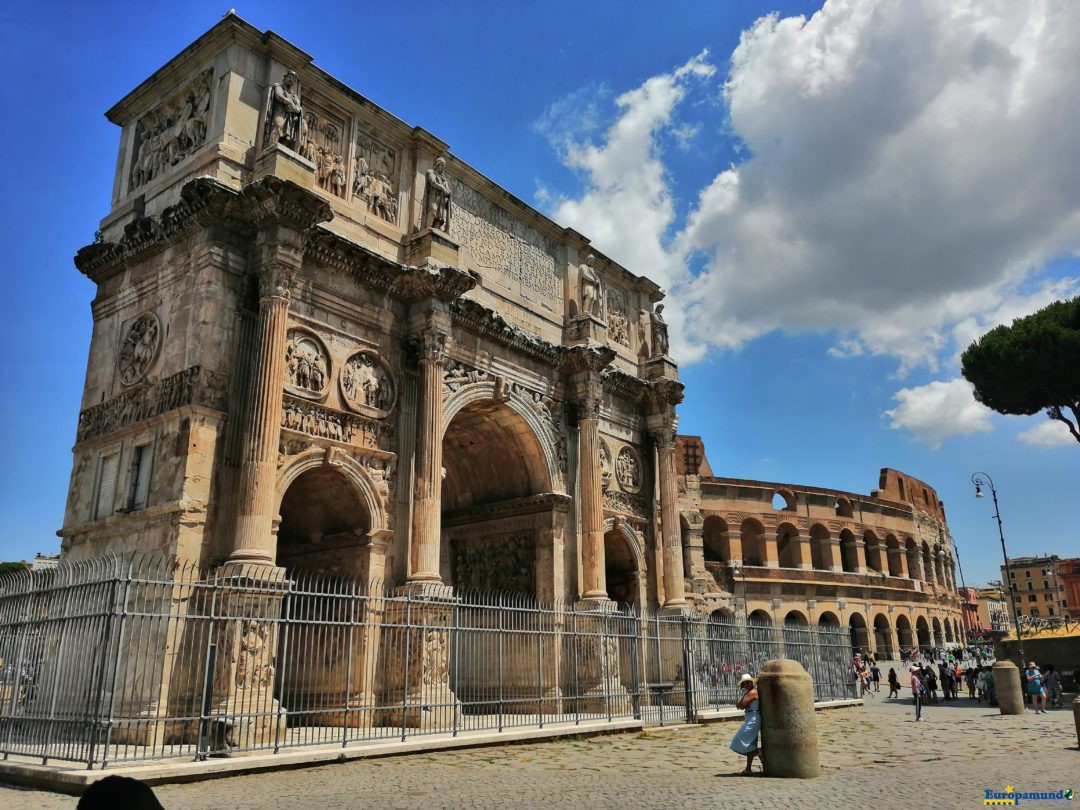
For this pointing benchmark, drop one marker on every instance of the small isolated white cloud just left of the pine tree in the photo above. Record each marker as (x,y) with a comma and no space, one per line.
(938,411)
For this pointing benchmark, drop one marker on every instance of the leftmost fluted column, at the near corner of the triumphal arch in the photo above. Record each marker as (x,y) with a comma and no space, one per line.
(254,541)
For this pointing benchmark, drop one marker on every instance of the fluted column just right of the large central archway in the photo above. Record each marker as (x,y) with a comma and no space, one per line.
(591,495)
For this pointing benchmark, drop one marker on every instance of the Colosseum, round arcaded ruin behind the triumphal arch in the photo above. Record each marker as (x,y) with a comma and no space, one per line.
(882,565)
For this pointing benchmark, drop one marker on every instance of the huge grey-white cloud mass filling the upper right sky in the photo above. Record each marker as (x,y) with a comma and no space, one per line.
(911,168)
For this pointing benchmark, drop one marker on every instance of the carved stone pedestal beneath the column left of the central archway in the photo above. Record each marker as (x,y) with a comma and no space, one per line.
(416,651)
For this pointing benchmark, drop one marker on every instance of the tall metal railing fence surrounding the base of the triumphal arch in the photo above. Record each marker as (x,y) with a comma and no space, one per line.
(119,660)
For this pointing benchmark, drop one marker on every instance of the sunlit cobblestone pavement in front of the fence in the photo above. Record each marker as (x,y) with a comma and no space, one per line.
(875,754)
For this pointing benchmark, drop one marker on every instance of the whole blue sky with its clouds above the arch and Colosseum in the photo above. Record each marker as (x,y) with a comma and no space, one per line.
(838,205)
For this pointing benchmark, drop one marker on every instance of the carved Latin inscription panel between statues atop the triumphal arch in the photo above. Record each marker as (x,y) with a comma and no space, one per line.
(504,246)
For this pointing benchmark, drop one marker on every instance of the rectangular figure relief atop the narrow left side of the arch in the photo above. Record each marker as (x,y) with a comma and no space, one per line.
(172,131)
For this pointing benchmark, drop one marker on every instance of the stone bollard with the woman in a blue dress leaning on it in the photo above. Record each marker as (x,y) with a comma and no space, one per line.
(789,726)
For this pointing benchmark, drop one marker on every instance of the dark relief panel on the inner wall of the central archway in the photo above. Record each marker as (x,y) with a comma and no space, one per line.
(505,562)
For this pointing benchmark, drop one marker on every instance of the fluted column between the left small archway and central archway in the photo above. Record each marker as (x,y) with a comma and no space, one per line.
(427,507)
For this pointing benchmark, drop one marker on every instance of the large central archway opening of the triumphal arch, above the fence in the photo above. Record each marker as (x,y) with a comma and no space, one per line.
(501,512)
